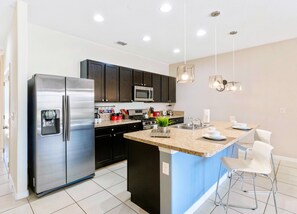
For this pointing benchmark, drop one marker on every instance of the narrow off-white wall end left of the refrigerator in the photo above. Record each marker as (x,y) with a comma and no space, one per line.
(16,55)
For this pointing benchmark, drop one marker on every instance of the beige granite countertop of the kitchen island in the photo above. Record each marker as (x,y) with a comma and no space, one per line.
(192,142)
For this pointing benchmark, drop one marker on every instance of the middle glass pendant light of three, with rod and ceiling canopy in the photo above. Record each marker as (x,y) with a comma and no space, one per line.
(216,80)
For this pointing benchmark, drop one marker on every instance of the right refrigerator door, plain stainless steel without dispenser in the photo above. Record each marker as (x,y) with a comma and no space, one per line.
(80,133)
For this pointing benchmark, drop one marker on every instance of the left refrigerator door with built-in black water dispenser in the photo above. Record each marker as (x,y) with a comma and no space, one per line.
(49,149)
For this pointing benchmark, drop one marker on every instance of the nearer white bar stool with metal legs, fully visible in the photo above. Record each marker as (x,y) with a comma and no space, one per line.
(259,164)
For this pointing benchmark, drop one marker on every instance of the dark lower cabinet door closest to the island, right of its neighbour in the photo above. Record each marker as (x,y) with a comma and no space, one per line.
(119,146)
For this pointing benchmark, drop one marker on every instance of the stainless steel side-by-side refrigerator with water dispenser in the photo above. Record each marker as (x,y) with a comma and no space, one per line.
(61,148)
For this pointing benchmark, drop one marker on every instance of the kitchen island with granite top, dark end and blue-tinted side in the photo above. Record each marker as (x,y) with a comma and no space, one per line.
(177,174)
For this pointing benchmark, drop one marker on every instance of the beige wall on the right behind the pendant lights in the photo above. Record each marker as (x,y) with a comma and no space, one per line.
(268,75)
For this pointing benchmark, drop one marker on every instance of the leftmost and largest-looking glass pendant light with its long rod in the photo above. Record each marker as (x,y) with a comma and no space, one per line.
(185,72)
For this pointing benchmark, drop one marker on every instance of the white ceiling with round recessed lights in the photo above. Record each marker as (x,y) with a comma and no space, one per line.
(257,22)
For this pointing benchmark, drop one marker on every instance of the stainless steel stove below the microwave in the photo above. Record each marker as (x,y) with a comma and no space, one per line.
(140,114)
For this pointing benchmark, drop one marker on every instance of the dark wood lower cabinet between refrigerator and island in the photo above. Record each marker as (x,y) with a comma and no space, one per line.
(110,145)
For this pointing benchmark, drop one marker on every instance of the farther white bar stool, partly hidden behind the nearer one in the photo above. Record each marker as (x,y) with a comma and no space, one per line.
(260,135)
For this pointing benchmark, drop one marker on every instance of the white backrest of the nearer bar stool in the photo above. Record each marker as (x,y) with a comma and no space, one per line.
(262,156)
